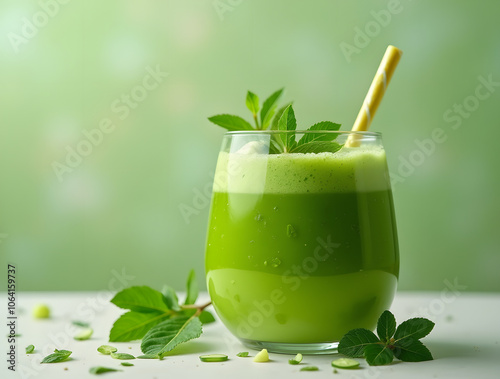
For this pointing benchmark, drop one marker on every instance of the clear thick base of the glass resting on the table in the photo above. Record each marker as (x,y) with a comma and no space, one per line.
(292,348)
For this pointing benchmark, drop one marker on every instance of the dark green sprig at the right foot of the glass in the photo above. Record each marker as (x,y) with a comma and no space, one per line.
(401,342)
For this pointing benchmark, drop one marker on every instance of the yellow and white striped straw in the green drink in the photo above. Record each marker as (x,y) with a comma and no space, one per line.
(375,93)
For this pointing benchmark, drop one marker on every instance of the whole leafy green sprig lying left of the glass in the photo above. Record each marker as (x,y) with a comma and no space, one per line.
(158,318)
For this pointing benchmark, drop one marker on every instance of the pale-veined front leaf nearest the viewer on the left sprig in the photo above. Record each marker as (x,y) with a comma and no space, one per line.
(165,336)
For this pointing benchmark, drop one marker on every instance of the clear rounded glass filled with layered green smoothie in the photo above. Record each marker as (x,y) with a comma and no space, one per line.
(301,247)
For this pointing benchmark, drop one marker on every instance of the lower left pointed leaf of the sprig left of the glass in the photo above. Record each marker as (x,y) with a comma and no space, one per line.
(134,325)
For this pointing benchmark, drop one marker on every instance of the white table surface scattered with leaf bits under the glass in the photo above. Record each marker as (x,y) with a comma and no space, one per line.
(465,342)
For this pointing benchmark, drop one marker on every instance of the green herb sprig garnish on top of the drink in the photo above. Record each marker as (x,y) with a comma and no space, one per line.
(284,120)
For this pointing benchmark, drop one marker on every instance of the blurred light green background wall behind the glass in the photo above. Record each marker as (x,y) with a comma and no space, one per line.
(119,212)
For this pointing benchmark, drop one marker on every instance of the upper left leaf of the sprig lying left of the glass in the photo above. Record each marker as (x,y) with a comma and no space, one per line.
(140,299)
